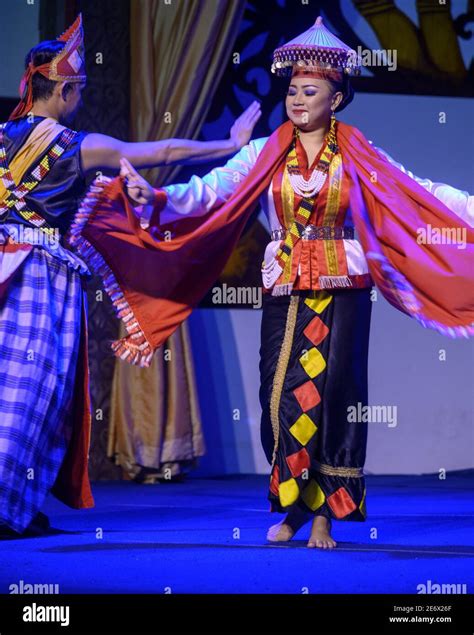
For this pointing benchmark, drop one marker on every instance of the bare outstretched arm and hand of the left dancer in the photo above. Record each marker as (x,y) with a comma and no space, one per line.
(100,151)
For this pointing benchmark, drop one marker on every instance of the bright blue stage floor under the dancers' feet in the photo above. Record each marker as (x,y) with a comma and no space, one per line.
(208,536)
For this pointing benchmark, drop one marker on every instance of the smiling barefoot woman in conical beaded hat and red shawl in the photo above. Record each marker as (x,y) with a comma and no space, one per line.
(320,182)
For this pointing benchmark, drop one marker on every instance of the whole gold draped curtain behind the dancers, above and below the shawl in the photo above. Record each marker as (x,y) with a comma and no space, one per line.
(178,54)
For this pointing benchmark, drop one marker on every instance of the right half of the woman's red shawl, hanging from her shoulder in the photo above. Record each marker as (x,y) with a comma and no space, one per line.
(431,282)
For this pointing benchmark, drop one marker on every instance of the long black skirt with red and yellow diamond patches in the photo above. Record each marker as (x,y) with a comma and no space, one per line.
(313,369)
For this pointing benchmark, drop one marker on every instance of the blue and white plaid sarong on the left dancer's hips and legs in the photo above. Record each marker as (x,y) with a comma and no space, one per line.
(40,327)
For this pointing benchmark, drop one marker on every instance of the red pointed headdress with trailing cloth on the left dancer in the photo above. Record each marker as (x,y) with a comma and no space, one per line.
(67,66)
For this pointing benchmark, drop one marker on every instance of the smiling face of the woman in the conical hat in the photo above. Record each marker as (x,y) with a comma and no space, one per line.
(309,102)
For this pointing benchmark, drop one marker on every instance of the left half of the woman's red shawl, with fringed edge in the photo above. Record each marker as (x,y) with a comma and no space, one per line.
(154,285)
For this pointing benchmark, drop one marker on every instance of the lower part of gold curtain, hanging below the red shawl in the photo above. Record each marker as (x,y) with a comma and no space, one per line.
(155,424)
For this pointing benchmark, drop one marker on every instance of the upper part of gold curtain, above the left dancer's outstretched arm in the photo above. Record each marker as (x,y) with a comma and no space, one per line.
(179,53)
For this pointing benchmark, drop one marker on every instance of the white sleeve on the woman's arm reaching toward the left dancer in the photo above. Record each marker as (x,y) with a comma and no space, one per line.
(201,194)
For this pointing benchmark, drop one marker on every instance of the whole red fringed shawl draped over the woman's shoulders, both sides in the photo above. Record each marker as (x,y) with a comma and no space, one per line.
(154,285)
